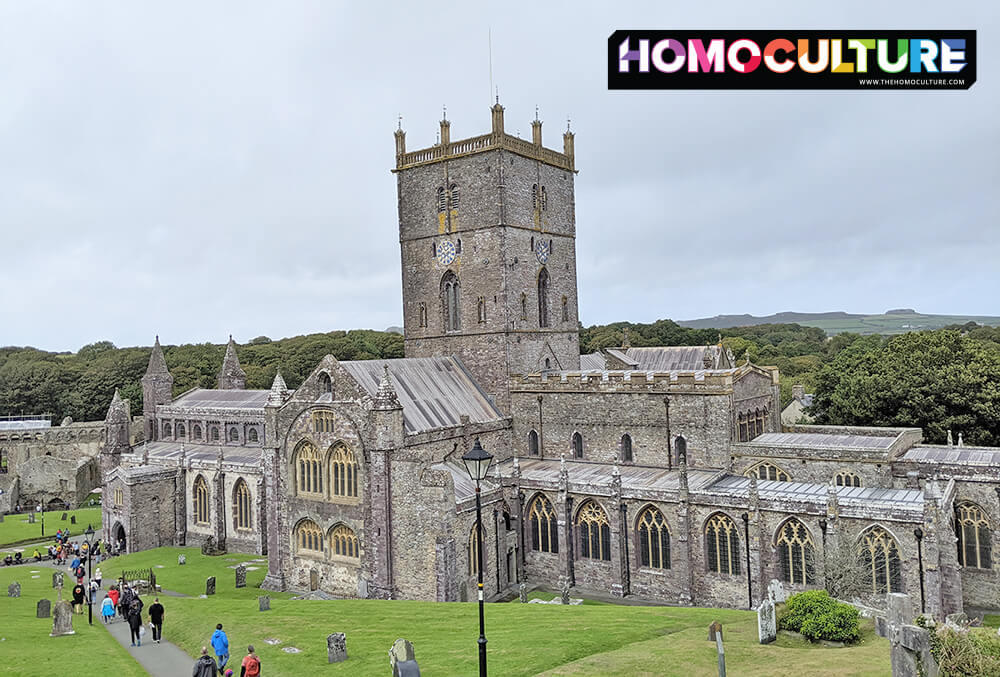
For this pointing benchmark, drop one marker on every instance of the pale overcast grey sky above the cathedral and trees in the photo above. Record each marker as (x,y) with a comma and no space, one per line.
(198,169)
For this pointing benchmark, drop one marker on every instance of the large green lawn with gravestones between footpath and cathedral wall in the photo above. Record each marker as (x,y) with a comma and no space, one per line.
(524,639)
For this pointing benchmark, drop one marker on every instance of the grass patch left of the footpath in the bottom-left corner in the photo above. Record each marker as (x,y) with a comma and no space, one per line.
(25,644)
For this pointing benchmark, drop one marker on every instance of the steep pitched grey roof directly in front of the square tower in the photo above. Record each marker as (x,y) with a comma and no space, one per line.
(434,391)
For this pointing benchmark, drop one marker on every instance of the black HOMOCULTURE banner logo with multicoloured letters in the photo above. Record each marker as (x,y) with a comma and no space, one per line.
(664,59)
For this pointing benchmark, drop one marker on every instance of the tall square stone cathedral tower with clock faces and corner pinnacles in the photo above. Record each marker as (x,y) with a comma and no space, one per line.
(487,230)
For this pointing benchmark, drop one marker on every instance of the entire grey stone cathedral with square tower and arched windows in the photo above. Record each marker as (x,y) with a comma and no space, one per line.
(659,474)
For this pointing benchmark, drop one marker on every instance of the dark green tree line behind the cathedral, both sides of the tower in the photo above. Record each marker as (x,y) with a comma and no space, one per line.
(937,380)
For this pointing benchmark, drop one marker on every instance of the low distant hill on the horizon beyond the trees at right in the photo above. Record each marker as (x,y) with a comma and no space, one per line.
(897,321)
